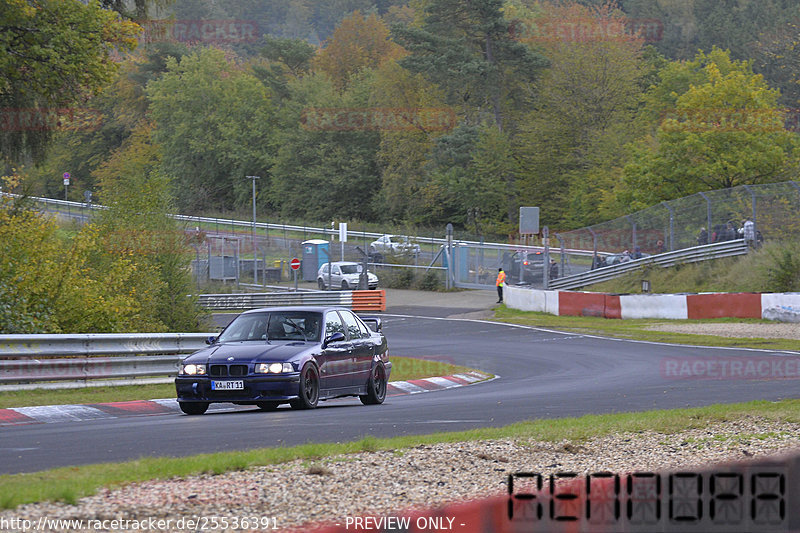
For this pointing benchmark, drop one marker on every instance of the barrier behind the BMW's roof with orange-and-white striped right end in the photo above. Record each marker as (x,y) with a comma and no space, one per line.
(374,300)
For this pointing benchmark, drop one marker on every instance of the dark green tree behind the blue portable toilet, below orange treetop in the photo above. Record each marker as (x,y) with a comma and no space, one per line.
(324,170)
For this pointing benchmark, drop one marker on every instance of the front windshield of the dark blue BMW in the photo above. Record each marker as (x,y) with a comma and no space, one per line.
(275,326)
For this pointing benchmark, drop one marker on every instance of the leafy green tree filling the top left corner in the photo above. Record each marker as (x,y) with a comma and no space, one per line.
(53,54)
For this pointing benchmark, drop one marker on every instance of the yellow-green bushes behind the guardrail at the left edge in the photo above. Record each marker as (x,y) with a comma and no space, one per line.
(53,284)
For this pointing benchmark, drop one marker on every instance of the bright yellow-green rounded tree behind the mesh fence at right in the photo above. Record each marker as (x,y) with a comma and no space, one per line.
(724,132)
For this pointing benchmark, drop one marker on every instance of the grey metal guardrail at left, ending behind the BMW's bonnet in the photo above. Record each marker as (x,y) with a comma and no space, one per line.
(93,359)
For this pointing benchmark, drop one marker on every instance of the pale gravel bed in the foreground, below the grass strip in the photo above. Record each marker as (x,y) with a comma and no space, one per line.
(334,488)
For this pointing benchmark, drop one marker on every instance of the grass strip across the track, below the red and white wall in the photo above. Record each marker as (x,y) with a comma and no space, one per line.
(635,329)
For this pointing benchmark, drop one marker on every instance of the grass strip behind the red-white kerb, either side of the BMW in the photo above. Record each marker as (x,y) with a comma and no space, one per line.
(403,368)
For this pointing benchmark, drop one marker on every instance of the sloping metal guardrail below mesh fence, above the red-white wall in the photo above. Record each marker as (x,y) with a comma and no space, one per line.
(687,255)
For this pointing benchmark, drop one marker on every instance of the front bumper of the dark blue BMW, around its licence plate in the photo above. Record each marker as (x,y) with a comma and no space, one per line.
(256,388)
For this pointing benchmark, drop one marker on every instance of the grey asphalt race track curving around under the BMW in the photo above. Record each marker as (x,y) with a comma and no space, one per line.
(542,374)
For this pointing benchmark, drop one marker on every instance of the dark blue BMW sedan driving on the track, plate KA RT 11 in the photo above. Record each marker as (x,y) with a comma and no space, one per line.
(296,355)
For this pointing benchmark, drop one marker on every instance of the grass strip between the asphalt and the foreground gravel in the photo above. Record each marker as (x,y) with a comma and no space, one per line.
(71,483)
